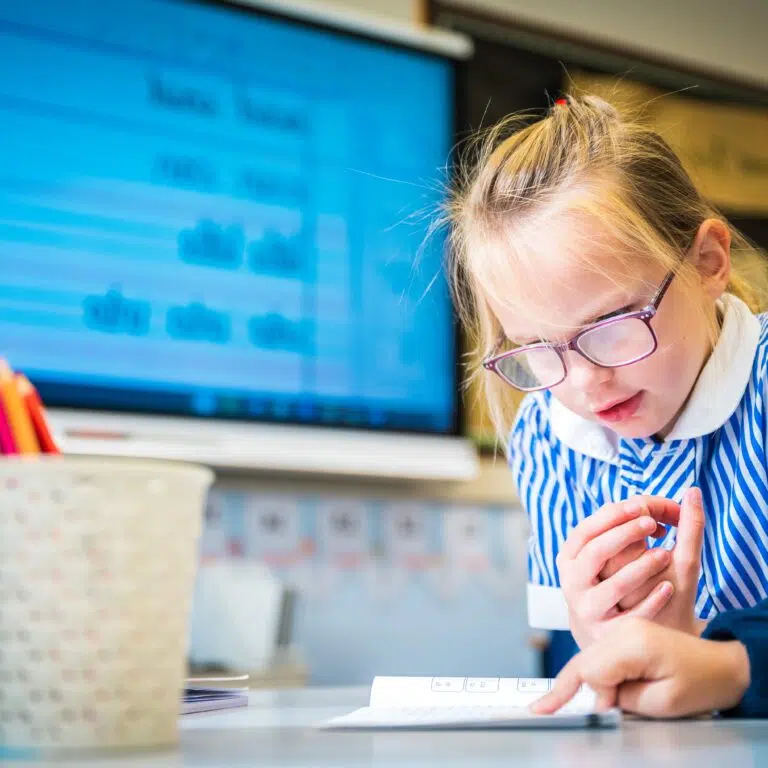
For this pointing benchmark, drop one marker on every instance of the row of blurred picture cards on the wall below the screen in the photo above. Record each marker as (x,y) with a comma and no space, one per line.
(314,542)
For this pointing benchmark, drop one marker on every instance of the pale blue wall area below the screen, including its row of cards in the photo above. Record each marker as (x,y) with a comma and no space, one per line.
(386,586)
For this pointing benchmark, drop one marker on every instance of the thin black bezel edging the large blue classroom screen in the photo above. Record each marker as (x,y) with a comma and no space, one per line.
(457,88)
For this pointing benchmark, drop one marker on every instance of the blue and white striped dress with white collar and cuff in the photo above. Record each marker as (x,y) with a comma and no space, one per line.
(566,467)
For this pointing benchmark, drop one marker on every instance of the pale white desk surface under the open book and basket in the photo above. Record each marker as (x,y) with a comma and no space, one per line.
(275,731)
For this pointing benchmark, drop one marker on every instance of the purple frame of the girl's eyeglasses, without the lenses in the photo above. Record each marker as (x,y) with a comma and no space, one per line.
(491,363)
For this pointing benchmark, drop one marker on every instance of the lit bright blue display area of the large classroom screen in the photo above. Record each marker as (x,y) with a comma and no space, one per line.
(212,212)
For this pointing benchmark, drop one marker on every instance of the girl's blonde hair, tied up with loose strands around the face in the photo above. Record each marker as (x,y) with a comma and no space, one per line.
(582,158)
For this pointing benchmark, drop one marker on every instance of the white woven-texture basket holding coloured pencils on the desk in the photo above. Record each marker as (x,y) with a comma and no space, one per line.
(97,563)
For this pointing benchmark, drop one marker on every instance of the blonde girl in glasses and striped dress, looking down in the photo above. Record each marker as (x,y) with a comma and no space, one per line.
(594,276)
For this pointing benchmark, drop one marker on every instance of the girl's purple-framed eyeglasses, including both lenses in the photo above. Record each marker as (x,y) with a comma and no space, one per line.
(611,343)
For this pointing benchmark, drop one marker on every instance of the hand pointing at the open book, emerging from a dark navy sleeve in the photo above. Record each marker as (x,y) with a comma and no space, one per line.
(654,671)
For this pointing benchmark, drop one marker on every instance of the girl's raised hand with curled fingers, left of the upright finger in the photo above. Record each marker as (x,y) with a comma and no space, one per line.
(592,603)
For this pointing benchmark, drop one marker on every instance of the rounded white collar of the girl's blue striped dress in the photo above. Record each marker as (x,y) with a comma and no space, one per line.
(716,394)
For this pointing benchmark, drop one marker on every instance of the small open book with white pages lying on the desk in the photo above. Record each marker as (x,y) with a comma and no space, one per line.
(468,702)
